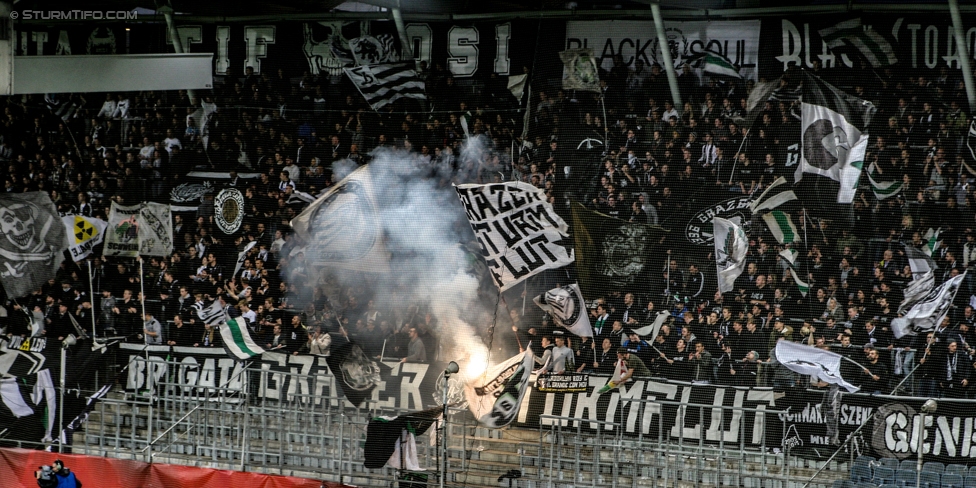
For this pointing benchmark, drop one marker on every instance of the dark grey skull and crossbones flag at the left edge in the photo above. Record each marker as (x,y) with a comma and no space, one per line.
(33,242)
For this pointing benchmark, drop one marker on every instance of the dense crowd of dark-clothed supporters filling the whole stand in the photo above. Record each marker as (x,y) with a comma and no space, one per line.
(129,147)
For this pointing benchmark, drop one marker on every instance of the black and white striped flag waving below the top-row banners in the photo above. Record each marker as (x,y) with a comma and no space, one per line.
(381,84)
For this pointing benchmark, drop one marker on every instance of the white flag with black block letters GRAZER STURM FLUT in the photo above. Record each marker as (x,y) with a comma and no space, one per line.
(520,233)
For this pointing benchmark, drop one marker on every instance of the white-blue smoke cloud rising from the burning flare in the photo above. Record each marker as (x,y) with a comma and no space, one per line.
(426,231)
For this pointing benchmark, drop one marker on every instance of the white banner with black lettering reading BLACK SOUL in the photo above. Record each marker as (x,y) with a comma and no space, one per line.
(688,41)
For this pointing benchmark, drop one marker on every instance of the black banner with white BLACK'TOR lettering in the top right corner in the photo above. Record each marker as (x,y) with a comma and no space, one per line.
(917,42)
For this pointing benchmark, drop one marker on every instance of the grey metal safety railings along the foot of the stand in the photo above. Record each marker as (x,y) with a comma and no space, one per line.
(645,441)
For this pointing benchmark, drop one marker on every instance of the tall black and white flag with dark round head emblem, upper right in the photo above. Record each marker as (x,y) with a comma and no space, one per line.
(832,133)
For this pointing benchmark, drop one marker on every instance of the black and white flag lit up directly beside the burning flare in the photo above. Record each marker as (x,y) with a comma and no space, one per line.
(494,397)
